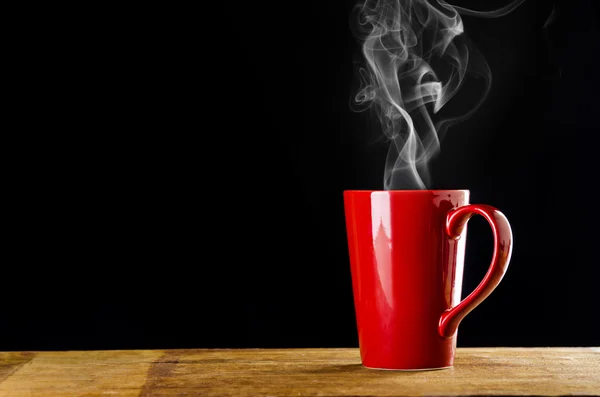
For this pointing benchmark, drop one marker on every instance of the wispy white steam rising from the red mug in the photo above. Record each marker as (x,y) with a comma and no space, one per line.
(417,58)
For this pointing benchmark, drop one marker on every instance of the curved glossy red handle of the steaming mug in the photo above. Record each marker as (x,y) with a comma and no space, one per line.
(456,220)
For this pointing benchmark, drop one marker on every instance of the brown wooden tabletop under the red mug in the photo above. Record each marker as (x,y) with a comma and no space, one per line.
(294,372)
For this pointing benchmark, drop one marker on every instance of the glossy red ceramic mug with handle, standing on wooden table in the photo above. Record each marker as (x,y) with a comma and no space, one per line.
(407,251)
